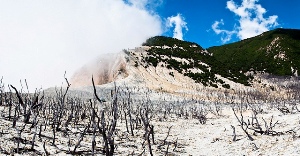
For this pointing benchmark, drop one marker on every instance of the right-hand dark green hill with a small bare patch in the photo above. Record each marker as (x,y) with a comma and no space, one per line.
(276,52)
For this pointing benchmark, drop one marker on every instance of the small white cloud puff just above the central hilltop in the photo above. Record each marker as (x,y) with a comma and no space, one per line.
(179,23)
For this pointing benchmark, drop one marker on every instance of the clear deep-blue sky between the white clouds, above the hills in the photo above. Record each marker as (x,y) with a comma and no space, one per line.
(200,15)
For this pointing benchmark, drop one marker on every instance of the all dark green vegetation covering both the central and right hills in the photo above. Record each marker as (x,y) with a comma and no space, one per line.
(276,52)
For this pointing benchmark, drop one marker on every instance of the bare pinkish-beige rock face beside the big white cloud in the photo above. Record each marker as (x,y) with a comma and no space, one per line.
(105,69)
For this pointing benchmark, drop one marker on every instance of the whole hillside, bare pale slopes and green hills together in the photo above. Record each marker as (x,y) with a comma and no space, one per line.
(262,63)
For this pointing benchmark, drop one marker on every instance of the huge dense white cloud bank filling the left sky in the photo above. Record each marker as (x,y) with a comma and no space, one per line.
(39,40)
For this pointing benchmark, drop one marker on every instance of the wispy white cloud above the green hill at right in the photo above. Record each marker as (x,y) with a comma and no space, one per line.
(251,19)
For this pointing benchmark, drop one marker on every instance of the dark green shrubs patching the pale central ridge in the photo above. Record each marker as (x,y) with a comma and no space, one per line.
(192,60)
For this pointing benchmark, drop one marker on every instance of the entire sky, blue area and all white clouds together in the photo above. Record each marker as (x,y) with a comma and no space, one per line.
(41,39)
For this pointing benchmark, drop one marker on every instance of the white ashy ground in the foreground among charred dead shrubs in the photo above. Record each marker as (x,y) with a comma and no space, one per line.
(186,137)
